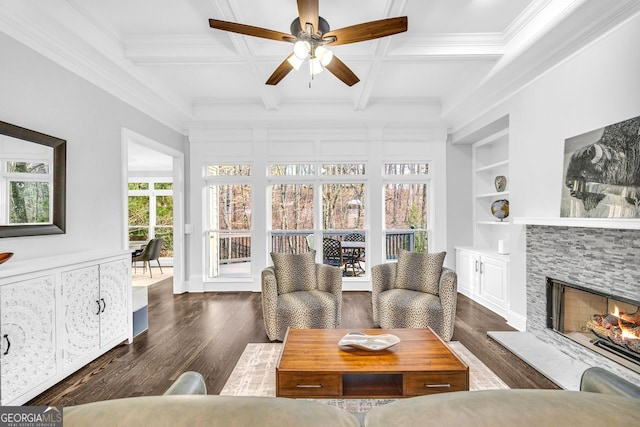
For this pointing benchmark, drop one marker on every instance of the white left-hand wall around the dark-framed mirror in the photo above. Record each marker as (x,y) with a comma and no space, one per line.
(37,94)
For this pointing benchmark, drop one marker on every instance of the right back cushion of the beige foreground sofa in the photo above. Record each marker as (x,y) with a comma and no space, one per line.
(496,408)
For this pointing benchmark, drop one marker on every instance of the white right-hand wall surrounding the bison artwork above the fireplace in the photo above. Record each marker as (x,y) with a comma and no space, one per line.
(598,86)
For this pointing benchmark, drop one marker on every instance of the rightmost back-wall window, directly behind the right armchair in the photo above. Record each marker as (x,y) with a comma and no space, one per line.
(406,207)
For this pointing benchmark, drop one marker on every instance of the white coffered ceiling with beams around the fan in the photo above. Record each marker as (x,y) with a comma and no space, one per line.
(457,58)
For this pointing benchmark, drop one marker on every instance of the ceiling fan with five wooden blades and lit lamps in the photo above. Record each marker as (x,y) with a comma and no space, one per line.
(310,34)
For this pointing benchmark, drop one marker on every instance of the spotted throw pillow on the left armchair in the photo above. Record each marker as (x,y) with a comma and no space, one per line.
(295,272)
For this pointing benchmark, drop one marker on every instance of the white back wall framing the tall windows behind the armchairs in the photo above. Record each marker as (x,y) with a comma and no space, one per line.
(258,146)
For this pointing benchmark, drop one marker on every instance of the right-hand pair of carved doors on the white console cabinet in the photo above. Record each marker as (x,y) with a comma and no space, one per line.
(95,306)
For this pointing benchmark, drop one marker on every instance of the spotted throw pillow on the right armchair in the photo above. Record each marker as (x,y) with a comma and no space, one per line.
(419,271)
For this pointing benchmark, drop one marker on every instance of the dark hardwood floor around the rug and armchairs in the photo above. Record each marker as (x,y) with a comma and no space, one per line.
(208,332)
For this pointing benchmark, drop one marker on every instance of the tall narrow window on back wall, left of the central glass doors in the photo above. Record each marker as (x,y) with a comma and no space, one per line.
(229,221)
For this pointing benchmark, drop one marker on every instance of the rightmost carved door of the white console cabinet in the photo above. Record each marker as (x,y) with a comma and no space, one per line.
(114,317)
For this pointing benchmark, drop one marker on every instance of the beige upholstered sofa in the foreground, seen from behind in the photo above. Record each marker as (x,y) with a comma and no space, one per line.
(605,400)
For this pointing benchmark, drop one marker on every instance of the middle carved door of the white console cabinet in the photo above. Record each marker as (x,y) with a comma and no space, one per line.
(82,306)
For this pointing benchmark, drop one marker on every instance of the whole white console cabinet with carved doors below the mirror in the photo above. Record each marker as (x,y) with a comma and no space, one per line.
(57,315)
